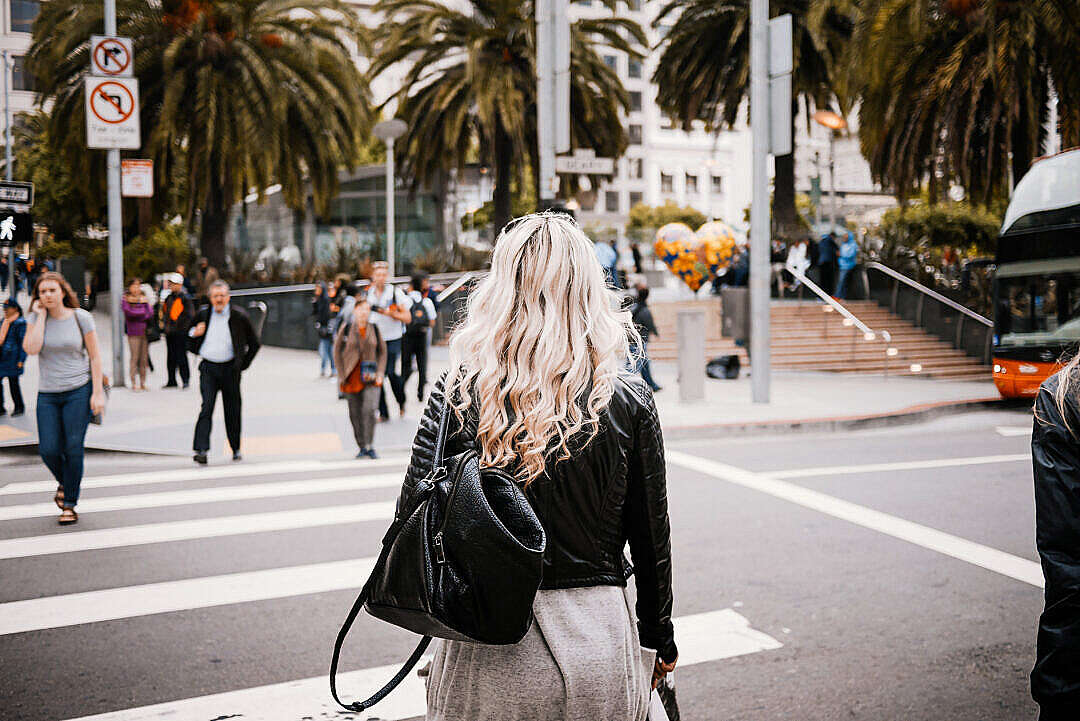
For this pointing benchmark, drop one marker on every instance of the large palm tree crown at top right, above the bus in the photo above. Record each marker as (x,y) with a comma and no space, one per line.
(961,90)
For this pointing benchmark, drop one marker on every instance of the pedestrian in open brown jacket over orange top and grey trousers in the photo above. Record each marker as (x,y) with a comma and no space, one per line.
(361,355)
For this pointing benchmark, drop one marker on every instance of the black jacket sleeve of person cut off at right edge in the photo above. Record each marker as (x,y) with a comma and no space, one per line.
(1056,455)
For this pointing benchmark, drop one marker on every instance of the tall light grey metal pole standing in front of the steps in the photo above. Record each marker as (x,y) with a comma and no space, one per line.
(760,207)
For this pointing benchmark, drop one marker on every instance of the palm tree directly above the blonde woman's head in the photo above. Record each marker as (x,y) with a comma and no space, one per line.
(470,90)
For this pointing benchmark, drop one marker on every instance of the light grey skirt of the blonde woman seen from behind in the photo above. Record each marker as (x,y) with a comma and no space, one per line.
(580,660)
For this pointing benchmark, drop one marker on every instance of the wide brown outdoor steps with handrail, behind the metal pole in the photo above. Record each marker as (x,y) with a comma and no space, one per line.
(805,337)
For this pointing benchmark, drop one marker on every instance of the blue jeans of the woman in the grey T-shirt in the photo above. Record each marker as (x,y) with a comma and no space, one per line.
(62,432)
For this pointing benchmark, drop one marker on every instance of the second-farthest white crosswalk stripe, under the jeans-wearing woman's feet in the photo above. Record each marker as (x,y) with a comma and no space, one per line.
(197,496)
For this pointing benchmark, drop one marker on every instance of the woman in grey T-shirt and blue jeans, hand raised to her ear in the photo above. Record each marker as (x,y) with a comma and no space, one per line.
(62,336)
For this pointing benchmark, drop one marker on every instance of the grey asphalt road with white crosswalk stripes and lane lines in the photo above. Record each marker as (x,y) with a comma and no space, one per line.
(853,613)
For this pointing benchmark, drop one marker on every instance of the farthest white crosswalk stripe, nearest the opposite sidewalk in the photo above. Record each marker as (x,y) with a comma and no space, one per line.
(207,473)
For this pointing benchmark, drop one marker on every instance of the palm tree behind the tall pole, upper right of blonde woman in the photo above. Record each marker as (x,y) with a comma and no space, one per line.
(704,73)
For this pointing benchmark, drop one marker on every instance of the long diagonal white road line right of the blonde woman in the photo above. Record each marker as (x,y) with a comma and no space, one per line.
(987,557)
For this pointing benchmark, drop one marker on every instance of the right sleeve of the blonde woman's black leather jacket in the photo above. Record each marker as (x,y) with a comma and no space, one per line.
(650,533)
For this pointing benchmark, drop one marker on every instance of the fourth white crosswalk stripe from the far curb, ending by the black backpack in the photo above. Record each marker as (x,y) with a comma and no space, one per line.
(190,594)
